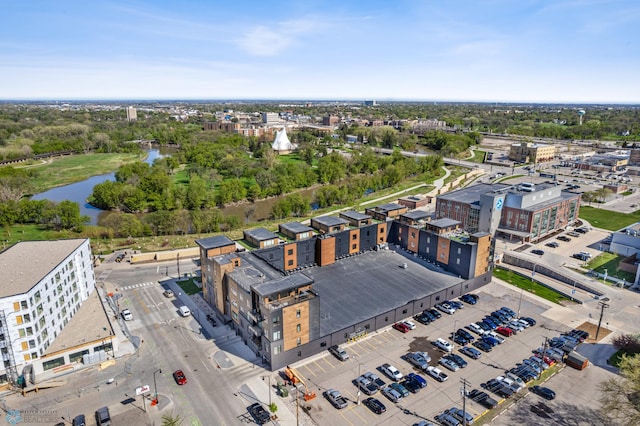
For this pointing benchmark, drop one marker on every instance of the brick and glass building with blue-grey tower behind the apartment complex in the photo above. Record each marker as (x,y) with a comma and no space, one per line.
(522,212)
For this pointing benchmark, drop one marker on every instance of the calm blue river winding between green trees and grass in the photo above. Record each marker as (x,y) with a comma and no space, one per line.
(80,191)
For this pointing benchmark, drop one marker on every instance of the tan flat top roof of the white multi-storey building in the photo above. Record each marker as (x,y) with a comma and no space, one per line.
(25,264)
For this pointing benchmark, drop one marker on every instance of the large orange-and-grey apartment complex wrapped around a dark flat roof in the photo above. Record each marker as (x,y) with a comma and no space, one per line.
(350,277)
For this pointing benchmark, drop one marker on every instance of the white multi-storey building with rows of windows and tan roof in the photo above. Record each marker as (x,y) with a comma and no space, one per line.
(45,283)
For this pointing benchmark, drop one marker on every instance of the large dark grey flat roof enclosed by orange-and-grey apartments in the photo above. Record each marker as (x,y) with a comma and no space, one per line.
(375,282)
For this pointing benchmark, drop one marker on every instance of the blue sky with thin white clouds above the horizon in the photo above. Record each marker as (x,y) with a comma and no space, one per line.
(581,51)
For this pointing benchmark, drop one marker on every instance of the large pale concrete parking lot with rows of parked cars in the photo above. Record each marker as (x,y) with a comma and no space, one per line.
(389,346)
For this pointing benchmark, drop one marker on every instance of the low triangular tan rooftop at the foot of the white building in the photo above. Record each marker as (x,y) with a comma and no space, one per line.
(89,324)
